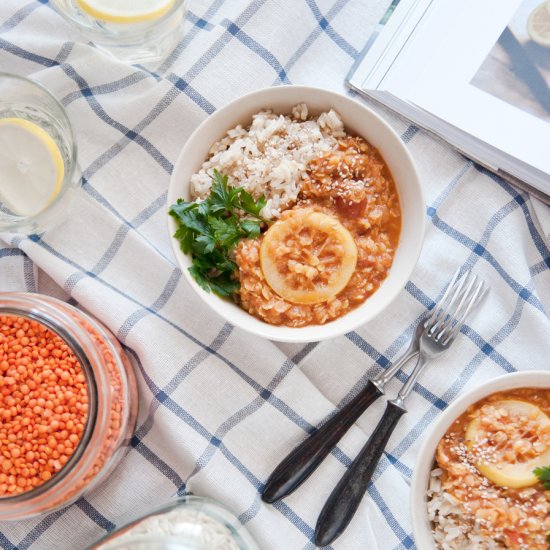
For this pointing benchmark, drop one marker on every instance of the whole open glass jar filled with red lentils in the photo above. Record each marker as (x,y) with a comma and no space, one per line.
(68,404)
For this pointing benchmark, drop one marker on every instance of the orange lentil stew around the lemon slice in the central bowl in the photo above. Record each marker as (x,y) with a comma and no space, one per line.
(353,186)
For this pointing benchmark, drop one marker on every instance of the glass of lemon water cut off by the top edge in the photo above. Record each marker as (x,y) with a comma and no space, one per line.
(133,31)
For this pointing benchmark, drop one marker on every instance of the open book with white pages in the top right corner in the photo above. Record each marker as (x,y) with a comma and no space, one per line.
(475,73)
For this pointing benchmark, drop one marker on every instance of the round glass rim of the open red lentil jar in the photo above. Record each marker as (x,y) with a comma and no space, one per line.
(93,399)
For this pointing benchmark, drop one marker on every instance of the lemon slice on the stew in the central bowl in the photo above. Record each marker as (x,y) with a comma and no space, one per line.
(308,257)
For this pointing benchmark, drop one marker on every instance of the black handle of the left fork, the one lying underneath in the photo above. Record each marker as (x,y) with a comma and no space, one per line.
(304,459)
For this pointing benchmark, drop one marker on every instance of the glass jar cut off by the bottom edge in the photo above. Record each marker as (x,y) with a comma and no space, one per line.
(187,523)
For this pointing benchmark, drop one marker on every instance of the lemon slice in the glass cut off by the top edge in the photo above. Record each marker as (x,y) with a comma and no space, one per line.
(126,11)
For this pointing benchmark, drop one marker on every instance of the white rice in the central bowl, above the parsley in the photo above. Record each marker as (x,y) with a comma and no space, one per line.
(270,156)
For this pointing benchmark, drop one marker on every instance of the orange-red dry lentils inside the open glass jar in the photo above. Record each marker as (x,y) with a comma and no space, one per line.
(43,404)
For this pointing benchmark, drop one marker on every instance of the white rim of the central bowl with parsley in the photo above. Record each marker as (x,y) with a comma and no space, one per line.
(310,333)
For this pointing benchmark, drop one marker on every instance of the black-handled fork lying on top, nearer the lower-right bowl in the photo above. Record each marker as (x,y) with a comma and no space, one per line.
(439,331)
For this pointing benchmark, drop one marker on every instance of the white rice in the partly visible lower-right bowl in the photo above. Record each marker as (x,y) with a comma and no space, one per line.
(450,530)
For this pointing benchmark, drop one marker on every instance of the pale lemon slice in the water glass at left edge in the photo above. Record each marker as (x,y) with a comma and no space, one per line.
(31,165)
